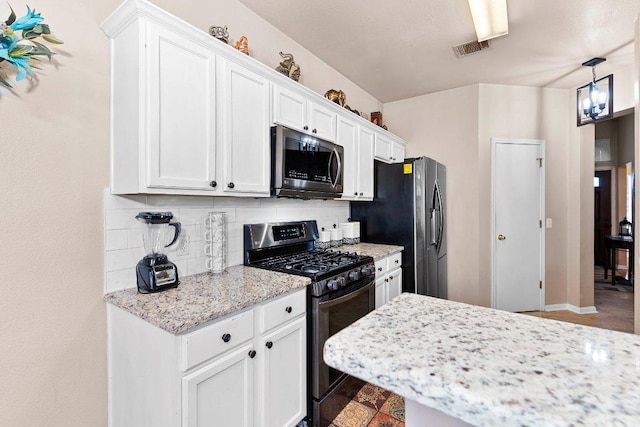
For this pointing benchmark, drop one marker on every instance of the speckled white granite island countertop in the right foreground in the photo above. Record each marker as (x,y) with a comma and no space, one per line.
(489,367)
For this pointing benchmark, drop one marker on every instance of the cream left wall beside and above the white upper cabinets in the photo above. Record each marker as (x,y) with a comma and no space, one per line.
(55,165)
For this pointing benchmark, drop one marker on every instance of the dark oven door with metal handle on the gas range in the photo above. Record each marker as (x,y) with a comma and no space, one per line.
(330,314)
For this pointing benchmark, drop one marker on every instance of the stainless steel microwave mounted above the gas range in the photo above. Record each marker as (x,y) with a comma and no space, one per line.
(304,166)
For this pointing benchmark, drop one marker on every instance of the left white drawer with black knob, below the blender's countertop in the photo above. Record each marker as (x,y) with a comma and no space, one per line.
(216,339)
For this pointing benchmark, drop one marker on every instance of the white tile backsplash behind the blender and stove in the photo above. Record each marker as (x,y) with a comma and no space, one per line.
(123,233)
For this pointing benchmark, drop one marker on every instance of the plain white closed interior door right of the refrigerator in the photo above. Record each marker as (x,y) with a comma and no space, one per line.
(518,236)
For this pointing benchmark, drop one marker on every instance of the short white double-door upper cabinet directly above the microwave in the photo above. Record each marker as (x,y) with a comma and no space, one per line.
(295,110)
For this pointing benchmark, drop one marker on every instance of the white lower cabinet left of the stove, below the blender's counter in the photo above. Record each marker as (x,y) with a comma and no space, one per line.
(246,370)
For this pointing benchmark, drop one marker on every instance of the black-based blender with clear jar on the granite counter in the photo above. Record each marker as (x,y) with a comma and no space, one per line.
(155,272)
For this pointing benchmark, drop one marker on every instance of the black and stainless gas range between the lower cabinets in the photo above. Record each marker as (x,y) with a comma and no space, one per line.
(341,292)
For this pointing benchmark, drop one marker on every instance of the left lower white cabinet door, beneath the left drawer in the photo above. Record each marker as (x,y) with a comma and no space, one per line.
(221,393)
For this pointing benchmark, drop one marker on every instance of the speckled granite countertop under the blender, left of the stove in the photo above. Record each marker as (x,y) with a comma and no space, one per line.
(202,298)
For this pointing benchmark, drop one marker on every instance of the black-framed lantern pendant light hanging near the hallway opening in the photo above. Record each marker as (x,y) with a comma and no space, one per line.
(595,100)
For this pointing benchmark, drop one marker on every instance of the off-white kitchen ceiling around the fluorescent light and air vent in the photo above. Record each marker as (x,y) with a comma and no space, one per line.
(398,50)
